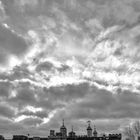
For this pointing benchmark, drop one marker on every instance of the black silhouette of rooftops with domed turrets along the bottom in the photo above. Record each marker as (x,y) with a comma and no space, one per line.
(92,134)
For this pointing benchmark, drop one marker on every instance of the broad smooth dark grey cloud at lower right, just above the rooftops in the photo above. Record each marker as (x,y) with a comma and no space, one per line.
(102,104)
